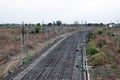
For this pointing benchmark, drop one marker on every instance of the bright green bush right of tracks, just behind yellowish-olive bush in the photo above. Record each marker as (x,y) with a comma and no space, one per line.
(91,49)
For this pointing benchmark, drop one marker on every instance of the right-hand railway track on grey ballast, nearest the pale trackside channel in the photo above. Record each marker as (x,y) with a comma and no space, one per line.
(67,62)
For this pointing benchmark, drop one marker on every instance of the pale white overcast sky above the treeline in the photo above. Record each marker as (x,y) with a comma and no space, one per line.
(68,11)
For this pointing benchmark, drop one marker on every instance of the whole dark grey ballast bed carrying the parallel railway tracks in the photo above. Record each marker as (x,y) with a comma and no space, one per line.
(58,64)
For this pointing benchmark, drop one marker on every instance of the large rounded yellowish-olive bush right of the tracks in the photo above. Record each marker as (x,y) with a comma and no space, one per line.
(98,59)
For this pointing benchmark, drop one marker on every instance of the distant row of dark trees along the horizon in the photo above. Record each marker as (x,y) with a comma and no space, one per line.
(59,23)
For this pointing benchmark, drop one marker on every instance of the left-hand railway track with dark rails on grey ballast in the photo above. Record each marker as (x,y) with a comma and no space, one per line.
(54,63)
